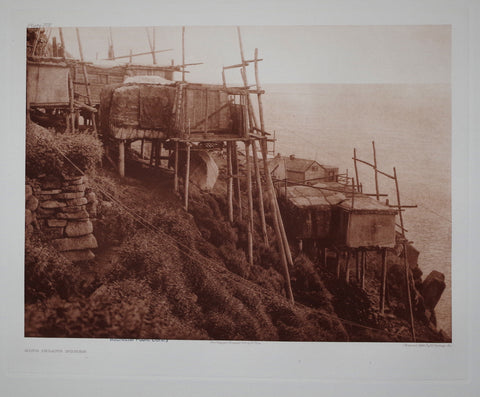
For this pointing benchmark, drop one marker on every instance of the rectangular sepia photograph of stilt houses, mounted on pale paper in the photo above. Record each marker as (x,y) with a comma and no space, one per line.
(239,183)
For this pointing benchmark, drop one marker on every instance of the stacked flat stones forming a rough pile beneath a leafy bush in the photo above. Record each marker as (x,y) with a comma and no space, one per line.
(63,209)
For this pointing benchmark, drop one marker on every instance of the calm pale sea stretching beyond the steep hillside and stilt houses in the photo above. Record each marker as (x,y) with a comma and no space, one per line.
(412,130)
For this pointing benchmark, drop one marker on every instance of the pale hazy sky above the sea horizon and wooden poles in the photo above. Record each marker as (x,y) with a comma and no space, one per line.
(292,54)
